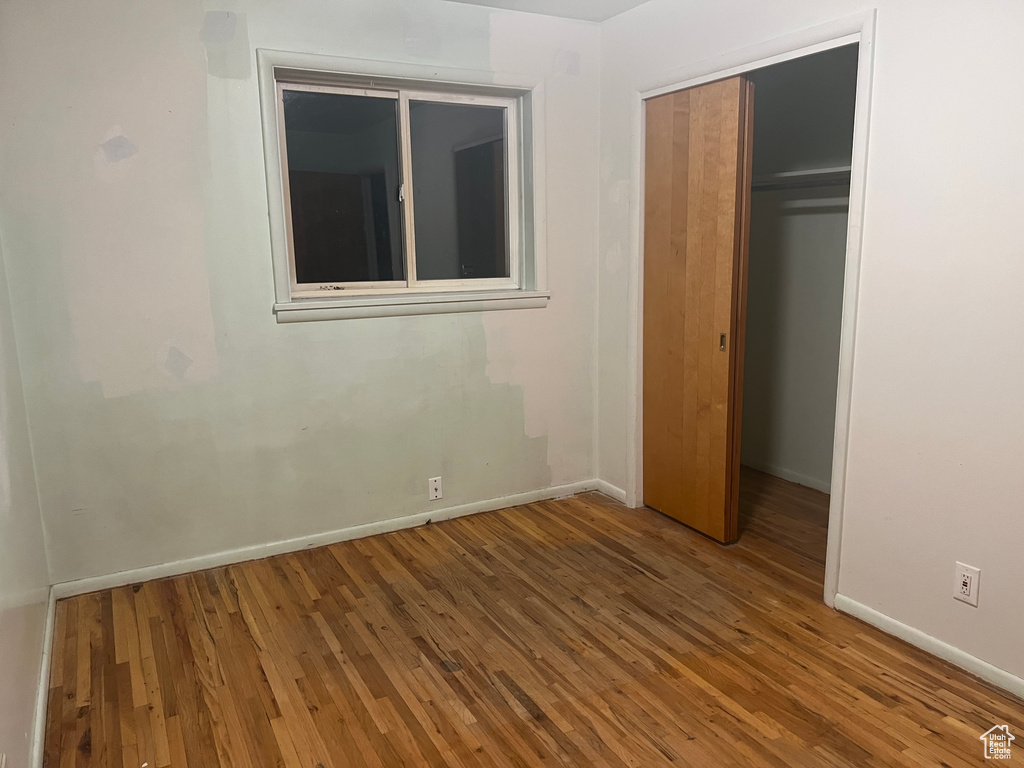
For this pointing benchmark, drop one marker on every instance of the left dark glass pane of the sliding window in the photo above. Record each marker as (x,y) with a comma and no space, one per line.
(344,174)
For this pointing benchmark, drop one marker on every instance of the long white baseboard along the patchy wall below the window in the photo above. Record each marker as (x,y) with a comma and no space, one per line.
(230,558)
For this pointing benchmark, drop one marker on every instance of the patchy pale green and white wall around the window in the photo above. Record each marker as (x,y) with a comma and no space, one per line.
(172,416)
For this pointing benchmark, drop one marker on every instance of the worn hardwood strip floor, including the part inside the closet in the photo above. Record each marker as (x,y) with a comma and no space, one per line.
(574,632)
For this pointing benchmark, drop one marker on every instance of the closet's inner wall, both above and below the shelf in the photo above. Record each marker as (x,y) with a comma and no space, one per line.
(803,119)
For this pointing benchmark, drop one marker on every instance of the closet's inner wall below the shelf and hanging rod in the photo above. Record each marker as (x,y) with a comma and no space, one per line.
(794,319)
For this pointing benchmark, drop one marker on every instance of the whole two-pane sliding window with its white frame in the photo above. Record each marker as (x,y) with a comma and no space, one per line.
(398,188)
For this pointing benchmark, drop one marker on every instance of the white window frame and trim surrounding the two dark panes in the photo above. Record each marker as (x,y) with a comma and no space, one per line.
(525,288)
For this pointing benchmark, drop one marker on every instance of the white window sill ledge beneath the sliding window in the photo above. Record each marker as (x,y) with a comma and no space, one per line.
(394,306)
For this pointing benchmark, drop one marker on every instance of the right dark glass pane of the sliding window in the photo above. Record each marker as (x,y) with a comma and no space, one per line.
(459,186)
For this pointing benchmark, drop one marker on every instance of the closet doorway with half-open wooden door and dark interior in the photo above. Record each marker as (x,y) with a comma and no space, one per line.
(746,226)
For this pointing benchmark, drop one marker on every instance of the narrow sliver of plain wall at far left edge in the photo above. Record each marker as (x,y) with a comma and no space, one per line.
(24,581)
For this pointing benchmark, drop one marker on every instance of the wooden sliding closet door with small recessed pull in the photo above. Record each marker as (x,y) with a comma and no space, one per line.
(697,217)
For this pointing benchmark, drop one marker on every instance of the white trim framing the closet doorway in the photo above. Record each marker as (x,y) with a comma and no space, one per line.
(858,29)
